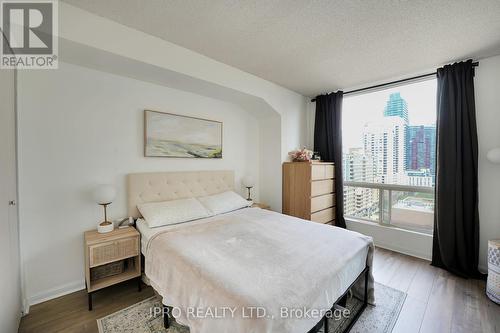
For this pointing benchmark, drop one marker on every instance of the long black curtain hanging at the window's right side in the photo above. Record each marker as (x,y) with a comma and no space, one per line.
(456,219)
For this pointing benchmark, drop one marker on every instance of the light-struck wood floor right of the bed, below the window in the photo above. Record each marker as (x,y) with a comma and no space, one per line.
(436,300)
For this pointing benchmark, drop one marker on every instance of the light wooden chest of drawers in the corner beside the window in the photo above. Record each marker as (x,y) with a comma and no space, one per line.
(308,191)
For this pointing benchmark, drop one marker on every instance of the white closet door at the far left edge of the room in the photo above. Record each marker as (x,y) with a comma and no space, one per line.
(10,286)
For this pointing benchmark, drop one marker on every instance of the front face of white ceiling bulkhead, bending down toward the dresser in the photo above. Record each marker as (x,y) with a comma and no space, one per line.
(82,27)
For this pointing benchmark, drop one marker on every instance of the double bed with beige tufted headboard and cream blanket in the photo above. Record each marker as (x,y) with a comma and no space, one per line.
(261,270)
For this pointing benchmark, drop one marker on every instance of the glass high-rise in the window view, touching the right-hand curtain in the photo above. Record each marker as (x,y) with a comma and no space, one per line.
(421,148)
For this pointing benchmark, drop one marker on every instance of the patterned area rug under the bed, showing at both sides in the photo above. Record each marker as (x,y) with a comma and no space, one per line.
(381,318)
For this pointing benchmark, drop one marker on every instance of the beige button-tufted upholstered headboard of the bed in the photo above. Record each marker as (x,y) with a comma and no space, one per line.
(163,186)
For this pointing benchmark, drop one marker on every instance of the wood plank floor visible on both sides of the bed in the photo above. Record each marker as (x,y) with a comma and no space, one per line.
(436,301)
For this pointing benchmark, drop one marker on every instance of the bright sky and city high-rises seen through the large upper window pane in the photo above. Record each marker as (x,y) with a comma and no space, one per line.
(392,137)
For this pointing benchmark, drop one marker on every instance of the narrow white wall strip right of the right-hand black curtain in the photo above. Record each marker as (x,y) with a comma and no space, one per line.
(487,89)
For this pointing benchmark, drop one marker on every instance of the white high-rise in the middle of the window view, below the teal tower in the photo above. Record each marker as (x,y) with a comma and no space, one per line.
(385,143)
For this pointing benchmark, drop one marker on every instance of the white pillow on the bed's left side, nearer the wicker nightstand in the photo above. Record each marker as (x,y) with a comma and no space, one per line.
(157,214)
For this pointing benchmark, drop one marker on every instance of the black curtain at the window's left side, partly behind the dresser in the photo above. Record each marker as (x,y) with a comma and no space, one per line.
(328,143)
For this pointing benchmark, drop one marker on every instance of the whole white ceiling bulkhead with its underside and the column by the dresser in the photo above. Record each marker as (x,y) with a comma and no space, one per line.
(86,38)
